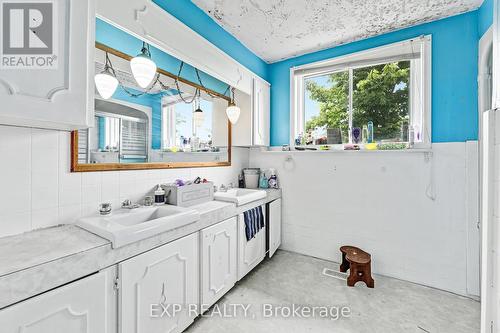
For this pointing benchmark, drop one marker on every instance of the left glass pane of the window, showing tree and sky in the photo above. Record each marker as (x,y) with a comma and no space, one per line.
(326,114)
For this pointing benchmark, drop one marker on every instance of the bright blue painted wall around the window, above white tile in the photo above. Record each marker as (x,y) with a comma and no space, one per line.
(454,77)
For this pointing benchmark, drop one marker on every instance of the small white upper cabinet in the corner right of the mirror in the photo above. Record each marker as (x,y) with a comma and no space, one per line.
(253,127)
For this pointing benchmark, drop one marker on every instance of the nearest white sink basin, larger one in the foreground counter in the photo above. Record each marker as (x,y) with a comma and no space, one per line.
(125,226)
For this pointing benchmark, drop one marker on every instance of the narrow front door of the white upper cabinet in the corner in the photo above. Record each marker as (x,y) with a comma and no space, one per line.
(261,112)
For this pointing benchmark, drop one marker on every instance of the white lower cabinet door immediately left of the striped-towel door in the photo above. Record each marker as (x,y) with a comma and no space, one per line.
(219,246)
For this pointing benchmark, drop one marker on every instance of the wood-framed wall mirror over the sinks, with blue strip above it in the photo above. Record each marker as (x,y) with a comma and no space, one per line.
(168,116)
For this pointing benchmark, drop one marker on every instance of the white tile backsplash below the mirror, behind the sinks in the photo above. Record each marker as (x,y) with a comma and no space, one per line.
(37,190)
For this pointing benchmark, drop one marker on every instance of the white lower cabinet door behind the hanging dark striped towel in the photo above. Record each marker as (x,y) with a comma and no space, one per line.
(252,252)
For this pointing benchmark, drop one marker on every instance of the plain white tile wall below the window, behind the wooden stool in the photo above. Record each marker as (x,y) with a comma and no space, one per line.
(380,202)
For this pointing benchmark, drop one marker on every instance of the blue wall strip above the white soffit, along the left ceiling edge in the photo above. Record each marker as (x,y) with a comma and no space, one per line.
(195,18)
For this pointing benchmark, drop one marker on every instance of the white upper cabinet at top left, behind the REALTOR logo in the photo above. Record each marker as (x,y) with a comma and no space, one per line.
(59,93)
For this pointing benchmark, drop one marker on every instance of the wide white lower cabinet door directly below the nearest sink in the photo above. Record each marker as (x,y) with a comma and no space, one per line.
(159,290)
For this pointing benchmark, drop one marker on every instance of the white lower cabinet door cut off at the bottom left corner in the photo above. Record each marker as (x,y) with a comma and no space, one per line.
(84,306)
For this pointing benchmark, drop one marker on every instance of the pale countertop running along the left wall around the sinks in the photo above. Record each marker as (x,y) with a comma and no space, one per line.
(37,261)
